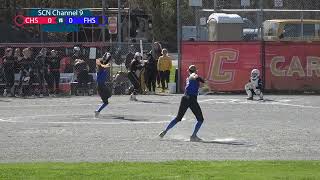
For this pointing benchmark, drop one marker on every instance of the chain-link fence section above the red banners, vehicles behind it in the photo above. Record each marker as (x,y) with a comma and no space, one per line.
(252,20)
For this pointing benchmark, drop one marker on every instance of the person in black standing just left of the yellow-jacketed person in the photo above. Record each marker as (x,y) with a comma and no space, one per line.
(151,73)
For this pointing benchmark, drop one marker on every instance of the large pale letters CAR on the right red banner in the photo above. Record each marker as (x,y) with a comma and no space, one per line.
(295,67)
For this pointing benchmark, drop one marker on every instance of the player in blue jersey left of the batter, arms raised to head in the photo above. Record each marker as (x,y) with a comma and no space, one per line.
(103,90)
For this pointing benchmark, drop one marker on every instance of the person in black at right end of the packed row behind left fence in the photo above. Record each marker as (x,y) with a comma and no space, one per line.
(54,72)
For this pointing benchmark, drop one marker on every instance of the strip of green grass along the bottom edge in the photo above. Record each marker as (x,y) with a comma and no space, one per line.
(254,170)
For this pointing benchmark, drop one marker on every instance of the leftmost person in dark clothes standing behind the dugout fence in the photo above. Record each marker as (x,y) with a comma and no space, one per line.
(8,67)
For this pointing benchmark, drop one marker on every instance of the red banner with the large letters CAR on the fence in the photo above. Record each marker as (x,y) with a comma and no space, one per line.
(292,66)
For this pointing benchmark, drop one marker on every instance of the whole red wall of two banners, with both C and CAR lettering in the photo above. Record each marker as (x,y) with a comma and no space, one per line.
(227,65)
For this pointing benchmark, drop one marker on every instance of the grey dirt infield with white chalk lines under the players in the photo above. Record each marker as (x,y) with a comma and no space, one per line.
(64,129)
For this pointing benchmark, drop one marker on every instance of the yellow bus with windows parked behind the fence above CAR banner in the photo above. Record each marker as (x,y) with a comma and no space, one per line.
(291,30)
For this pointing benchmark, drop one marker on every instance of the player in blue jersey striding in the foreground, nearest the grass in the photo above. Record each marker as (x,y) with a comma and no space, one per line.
(189,100)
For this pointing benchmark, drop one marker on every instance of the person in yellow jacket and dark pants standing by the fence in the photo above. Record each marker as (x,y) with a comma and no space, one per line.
(164,66)
